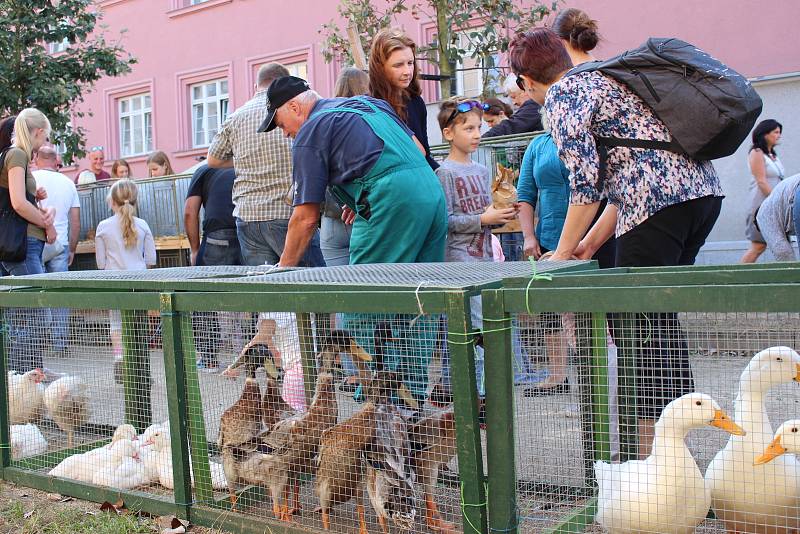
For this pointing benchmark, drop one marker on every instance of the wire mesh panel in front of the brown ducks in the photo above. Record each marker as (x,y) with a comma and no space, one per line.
(323,419)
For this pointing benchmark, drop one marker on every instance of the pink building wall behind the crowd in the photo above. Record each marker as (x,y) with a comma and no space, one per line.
(177,46)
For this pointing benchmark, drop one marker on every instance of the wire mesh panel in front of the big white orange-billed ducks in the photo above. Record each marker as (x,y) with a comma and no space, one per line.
(644,419)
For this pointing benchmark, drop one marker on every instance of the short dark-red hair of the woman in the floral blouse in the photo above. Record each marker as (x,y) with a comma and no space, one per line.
(538,54)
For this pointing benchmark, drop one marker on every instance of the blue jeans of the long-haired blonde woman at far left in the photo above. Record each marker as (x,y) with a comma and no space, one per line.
(27,325)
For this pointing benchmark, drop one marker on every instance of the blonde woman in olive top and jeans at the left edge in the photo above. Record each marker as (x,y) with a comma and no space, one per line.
(20,137)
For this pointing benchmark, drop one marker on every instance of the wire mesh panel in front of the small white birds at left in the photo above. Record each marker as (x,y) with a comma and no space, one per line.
(84,385)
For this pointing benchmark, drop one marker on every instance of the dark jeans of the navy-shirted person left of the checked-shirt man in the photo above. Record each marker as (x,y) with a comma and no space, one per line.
(218,247)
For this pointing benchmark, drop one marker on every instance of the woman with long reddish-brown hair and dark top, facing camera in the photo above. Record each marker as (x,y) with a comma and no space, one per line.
(393,77)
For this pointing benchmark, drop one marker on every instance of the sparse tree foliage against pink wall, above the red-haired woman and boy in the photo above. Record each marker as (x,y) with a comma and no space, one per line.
(487,27)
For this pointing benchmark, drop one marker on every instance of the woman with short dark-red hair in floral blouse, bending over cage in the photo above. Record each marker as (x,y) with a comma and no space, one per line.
(661,205)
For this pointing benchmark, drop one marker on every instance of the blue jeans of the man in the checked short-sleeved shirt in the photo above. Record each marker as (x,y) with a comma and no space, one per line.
(262,243)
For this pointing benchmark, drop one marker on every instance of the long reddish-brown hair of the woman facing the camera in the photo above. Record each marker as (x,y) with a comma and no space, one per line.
(385,42)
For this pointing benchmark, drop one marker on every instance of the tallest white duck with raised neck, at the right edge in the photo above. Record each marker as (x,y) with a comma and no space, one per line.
(755,498)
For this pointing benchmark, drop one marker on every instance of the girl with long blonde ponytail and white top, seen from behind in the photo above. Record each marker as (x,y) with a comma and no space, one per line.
(123,242)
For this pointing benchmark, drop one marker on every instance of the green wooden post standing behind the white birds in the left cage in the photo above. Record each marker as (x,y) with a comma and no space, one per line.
(136,369)
